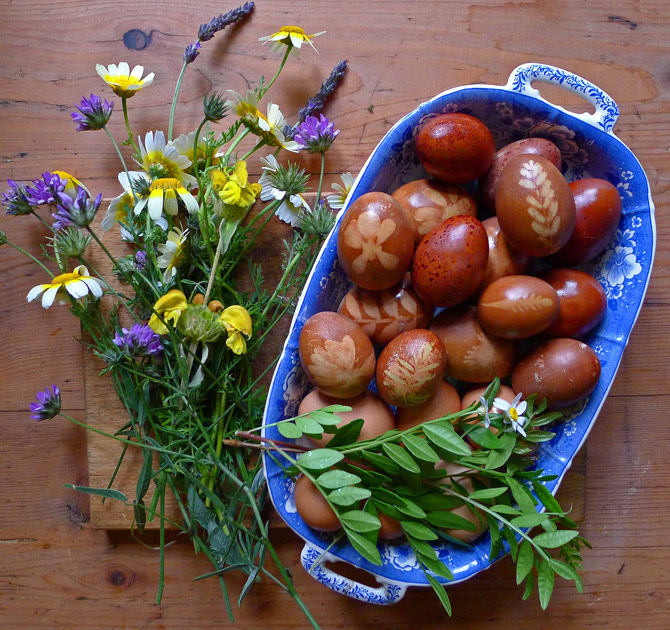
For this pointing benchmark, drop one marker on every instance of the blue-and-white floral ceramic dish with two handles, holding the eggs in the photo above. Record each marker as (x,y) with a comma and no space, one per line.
(589,148)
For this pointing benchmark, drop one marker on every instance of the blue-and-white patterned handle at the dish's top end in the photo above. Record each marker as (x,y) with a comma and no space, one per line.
(607,111)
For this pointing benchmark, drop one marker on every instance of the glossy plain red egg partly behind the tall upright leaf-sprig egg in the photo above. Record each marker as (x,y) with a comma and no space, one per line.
(598,206)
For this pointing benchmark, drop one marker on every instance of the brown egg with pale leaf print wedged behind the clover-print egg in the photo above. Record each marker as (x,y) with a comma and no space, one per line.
(429,202)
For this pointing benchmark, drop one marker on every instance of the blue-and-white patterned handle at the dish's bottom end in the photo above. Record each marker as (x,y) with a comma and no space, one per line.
(313,560)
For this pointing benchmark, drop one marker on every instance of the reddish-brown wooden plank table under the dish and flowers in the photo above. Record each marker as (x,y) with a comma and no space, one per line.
(56,571)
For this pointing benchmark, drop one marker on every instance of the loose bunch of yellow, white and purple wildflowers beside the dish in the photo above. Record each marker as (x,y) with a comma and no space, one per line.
(175,328)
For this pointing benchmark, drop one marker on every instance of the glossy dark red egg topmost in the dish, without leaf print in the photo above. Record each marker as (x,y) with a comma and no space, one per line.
(456,148)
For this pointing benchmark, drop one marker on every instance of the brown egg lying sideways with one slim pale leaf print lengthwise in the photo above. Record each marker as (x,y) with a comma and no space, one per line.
(517,307)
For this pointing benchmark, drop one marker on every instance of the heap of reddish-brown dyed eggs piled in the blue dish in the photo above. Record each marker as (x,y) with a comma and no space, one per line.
(439,292)
